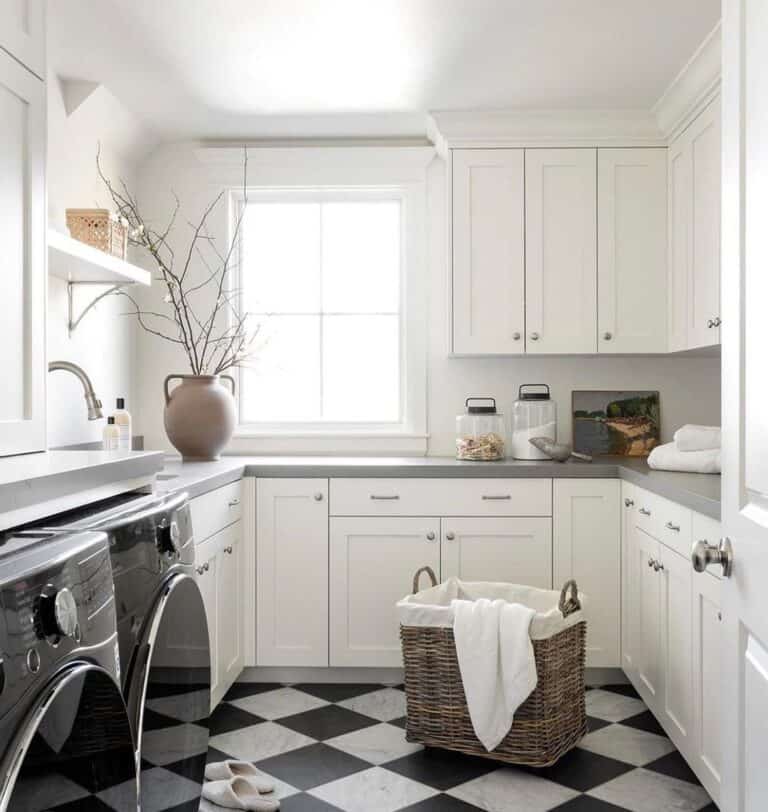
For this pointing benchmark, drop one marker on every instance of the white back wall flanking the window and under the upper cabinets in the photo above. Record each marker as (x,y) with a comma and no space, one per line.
(689,387)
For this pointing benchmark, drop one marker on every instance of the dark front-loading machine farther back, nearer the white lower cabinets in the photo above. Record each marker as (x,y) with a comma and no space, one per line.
(163,639)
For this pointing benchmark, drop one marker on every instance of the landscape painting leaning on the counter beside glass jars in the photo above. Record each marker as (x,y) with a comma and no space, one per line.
(619,423)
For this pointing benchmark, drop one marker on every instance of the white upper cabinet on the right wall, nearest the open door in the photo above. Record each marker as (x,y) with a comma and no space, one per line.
(694,233)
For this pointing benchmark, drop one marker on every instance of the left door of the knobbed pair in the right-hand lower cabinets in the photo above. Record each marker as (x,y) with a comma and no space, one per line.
(646,551)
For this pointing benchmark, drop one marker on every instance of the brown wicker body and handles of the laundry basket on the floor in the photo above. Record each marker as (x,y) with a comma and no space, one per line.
(546,726)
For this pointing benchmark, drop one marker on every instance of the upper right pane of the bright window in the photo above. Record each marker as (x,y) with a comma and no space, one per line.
(361,257)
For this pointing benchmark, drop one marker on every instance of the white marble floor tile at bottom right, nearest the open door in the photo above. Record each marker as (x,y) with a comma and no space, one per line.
(647,791)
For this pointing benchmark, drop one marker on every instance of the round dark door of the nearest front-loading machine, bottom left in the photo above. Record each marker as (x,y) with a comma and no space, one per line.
(75,747)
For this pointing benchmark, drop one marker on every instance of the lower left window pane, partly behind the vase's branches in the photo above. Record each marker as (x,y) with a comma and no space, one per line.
(282,382)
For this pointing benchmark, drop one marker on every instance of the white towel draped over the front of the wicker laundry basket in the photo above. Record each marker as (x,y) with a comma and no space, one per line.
(496,661)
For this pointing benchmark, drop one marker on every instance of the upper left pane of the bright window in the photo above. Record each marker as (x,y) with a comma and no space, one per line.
(281,258)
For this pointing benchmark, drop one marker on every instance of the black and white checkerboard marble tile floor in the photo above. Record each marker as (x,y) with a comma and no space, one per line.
(342,747)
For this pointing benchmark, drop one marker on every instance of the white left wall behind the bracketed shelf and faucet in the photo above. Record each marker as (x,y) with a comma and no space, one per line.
(104,343)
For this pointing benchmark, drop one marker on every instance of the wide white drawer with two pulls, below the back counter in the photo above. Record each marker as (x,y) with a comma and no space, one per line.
(440,497)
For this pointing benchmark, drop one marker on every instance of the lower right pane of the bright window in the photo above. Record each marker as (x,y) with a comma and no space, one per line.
(361,368)
